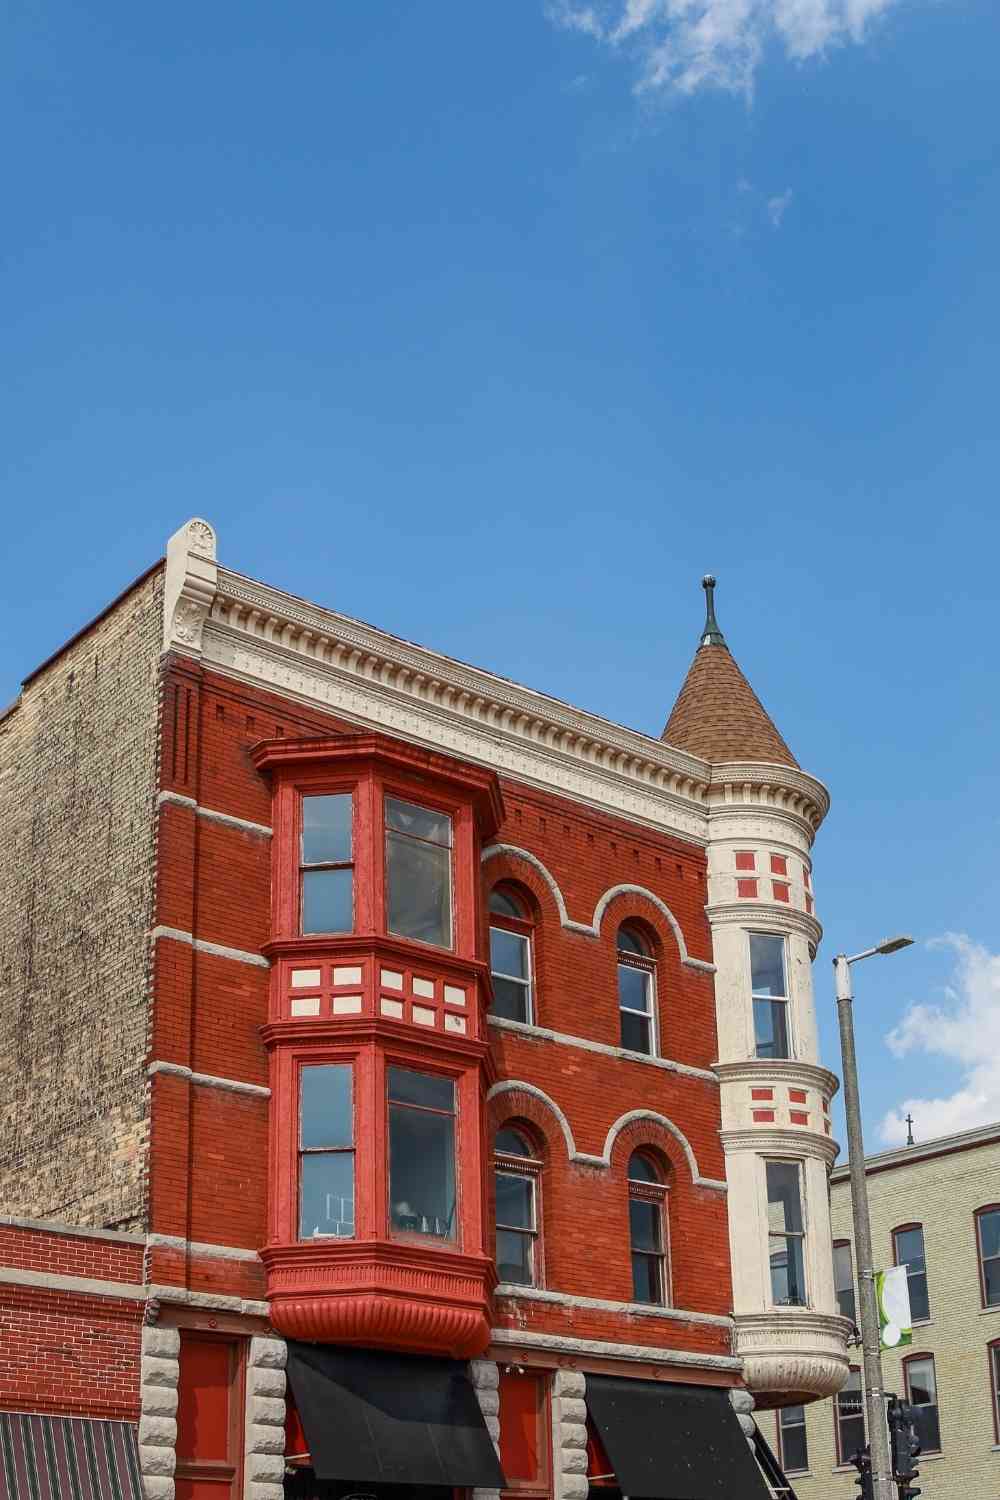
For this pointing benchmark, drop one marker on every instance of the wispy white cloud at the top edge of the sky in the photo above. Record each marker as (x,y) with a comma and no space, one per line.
(693,44)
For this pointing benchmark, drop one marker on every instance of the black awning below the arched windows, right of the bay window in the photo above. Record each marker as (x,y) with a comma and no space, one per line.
(672,1442)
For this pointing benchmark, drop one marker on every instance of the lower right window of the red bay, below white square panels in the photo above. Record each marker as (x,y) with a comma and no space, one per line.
(422,1187)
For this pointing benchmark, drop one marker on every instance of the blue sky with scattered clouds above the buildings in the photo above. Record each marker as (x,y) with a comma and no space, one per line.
(500,326)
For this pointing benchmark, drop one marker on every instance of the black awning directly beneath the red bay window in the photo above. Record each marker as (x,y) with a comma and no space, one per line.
(383,1418)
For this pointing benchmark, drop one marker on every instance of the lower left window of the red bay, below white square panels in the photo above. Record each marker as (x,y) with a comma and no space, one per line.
(326,1153)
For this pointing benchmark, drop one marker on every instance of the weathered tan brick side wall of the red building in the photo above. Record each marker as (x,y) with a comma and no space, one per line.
(77,797)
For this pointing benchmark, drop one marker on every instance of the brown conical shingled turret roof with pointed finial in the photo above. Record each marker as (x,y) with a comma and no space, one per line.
(717,715)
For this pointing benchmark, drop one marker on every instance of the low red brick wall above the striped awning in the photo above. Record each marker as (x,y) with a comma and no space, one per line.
(68,1351)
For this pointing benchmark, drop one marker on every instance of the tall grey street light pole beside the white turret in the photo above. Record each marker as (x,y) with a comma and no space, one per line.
(884,1487)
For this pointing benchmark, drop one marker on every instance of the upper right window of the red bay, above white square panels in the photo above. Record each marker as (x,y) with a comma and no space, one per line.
(419,872)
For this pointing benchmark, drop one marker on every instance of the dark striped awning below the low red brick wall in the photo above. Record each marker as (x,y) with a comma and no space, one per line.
(68,1459)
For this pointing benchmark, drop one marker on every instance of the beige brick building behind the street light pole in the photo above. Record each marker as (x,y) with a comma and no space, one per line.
(941,1198)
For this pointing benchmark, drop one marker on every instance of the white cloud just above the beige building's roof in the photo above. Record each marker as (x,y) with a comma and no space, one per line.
(963,1030)
